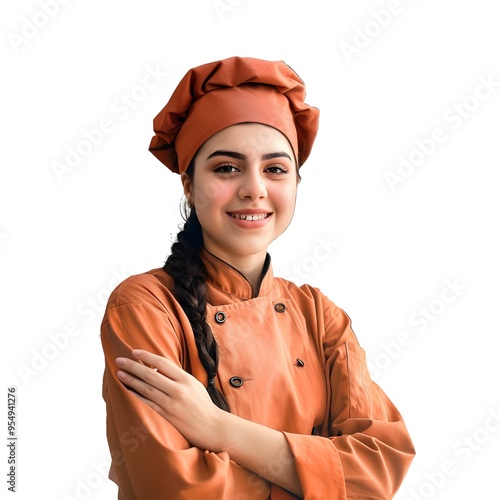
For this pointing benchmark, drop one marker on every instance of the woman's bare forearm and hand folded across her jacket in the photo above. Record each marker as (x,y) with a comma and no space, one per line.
(184,402)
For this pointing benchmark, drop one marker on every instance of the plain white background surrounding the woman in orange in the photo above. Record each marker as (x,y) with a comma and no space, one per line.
(67,239)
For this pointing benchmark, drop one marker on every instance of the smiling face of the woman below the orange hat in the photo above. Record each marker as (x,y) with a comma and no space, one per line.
(243,189)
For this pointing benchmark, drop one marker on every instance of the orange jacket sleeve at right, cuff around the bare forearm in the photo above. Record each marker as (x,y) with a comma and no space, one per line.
(364,449)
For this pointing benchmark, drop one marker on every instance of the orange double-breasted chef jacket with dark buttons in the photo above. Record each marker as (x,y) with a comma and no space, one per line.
(288,360)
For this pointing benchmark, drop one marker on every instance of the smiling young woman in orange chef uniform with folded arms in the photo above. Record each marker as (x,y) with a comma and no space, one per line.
(222,381)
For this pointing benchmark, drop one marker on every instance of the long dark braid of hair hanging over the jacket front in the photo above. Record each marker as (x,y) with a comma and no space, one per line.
(189,274)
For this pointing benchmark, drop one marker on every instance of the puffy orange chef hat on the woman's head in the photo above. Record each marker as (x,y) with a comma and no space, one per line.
(217,95)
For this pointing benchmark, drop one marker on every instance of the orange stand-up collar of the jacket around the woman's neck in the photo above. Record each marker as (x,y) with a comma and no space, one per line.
(229,280)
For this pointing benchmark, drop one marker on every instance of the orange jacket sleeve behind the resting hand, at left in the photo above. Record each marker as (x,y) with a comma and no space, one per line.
(150,458)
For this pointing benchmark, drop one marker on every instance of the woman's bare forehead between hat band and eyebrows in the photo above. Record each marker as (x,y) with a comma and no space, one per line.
(248,139)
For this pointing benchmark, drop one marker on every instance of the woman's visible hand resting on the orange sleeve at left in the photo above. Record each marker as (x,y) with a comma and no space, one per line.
(175,394)
